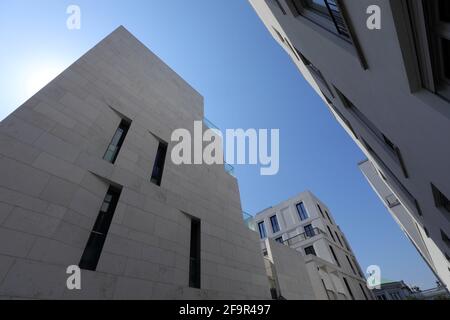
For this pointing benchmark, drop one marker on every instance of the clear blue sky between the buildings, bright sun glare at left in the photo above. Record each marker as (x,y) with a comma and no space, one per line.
(223,50)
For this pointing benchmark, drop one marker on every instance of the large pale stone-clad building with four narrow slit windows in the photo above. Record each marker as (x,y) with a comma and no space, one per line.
(86,179)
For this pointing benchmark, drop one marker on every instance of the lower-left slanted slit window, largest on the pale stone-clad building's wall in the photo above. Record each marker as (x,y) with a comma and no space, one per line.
(94,246)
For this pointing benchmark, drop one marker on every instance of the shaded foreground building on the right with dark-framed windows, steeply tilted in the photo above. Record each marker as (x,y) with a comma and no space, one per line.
(388,88)
